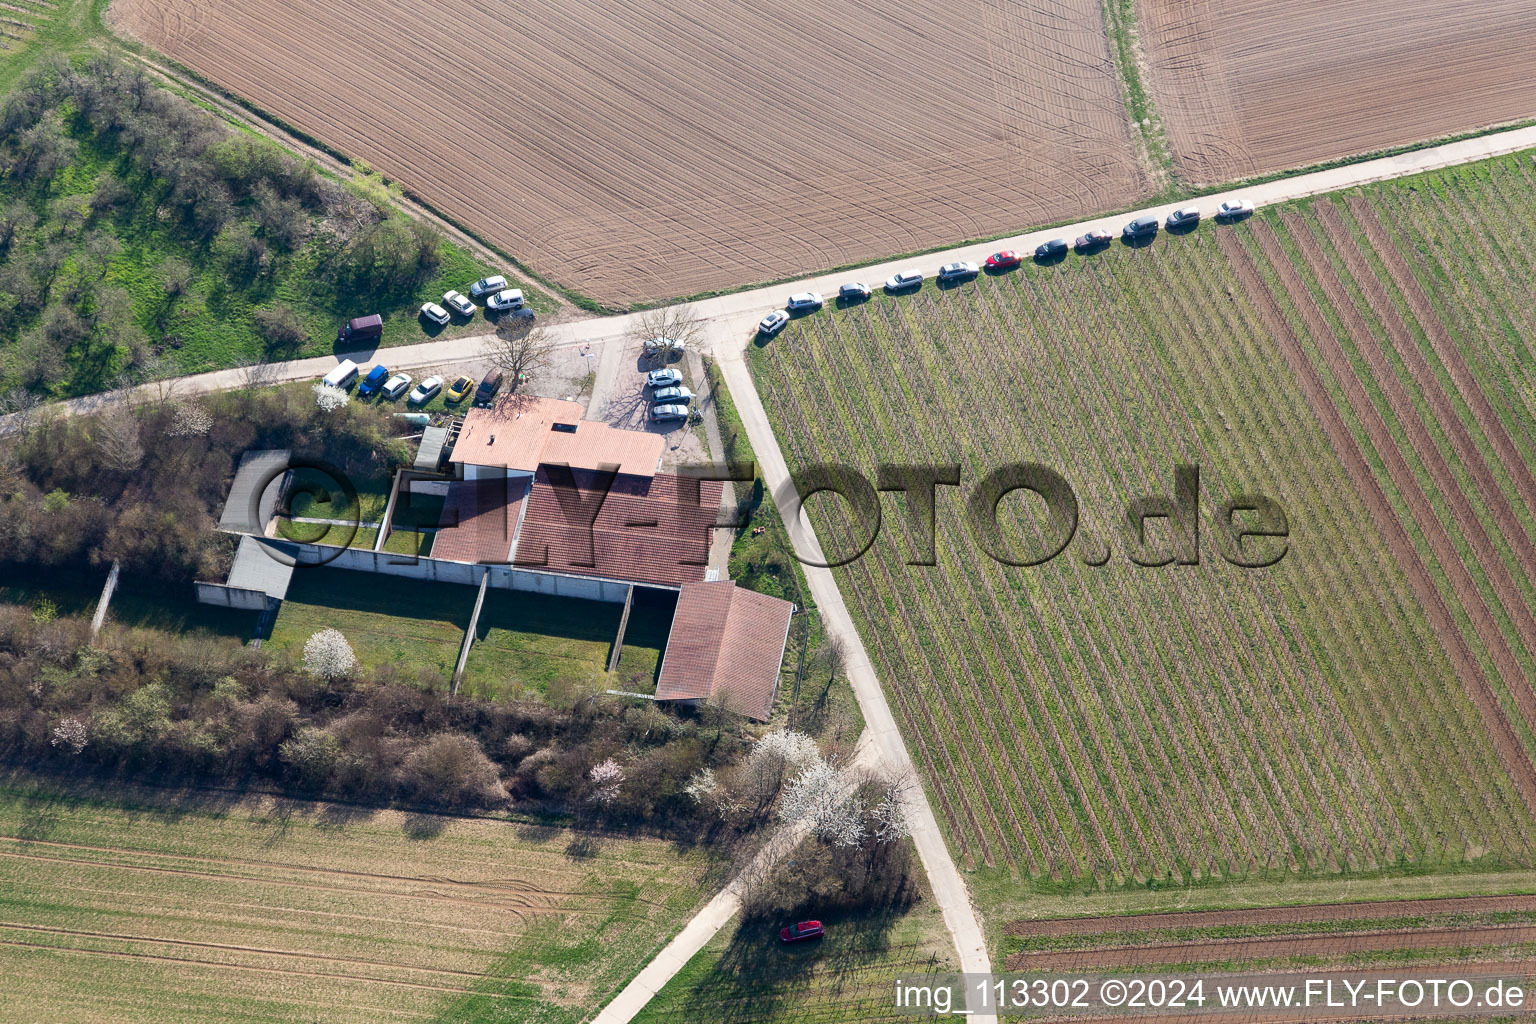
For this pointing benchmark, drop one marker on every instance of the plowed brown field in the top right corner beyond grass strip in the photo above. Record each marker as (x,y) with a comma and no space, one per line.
(1254,87)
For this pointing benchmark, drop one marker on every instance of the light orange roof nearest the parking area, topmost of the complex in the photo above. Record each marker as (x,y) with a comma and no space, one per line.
(523,434)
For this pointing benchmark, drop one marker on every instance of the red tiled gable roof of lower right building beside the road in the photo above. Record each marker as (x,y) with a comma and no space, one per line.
(726,641)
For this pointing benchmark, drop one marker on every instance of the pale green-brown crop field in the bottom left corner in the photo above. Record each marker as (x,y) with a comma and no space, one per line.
(141,908)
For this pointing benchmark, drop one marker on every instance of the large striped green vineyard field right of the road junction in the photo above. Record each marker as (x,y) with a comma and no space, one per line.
(1362,707)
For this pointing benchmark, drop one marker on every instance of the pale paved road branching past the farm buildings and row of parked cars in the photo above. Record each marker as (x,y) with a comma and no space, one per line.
(730,322)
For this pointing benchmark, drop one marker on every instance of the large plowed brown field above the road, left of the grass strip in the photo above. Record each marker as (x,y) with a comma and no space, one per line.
(637,151)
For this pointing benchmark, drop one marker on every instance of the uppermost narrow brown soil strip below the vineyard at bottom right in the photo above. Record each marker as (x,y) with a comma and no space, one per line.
(1260,917)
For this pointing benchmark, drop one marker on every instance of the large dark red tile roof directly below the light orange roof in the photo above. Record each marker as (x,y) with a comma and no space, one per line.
(649,530)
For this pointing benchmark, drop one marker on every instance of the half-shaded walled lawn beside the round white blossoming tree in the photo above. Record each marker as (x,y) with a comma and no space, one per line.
(389,621)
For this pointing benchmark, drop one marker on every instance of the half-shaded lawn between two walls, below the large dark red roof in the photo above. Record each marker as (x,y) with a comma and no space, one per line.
(529,646)
